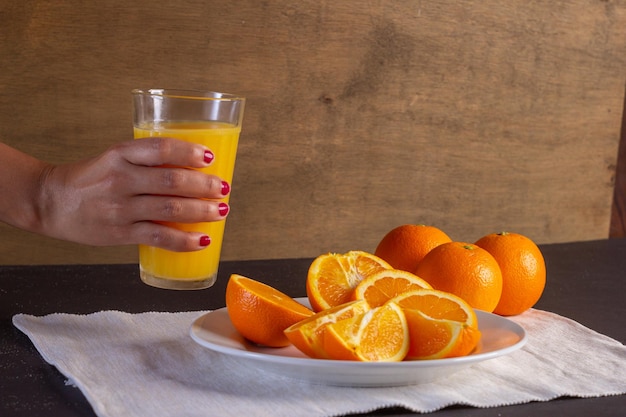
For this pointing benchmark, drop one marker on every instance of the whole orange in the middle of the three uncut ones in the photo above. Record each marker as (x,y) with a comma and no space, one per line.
(465,270)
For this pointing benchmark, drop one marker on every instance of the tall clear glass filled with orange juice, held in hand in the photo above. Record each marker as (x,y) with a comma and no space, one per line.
(214,120)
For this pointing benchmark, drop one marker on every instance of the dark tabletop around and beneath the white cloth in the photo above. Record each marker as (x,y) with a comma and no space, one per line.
(586,282)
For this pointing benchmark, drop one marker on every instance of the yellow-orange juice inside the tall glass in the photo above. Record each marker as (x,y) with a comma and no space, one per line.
(162,265)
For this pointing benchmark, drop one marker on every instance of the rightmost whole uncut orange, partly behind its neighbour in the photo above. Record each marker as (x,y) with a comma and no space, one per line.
(523,271)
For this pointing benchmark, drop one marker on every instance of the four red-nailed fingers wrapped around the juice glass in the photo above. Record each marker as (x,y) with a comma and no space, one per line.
(163,189)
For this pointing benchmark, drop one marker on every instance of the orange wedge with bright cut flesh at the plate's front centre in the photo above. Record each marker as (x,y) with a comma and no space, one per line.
(378,335)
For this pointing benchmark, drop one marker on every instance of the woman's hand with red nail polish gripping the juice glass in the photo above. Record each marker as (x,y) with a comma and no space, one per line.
(123,195)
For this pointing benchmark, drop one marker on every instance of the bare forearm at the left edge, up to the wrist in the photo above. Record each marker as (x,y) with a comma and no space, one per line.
(20,188)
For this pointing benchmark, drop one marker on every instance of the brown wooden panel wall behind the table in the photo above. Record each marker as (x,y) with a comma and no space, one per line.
(362,115)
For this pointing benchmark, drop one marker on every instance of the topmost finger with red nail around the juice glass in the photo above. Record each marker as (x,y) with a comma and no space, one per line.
(164,151)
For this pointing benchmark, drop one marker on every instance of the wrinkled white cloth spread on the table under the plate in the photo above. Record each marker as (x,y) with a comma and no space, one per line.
(148,365)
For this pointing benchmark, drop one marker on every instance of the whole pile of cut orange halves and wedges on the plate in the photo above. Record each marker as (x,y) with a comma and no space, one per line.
(395,317)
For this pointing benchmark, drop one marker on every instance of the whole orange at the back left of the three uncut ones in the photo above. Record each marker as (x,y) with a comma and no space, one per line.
(405,246)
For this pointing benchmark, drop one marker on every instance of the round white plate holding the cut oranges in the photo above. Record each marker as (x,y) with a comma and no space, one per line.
(215,331)
